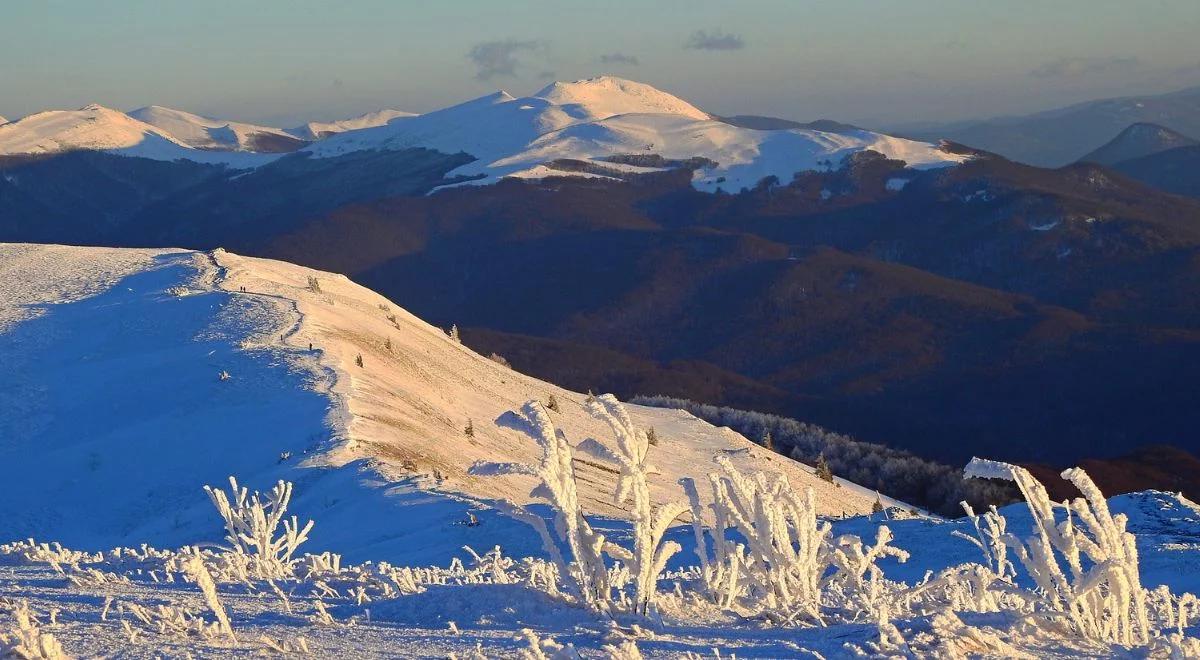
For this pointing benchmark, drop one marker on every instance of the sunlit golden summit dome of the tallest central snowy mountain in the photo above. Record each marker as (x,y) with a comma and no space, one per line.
(608,95)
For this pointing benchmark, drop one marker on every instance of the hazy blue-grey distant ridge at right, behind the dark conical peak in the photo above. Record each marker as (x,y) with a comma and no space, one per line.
(1063,136)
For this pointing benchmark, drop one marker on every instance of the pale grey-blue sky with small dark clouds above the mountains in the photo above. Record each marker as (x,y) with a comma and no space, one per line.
(883,64)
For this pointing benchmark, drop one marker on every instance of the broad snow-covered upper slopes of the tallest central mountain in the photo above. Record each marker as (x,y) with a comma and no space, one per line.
(598,119)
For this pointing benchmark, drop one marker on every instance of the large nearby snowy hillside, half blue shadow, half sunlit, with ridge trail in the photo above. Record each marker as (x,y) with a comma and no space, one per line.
(117,357)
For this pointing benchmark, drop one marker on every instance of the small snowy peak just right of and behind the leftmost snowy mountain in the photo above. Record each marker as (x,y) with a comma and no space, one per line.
(203,133)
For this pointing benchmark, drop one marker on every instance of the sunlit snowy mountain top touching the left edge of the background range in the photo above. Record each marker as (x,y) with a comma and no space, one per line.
(97,128)
